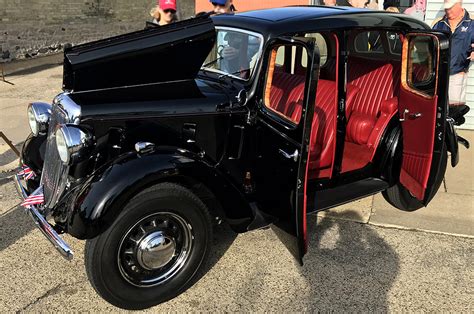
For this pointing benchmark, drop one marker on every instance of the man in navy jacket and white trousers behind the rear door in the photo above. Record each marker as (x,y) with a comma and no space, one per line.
(459,24)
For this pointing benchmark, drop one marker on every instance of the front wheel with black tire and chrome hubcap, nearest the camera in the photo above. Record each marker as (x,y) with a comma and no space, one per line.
(164,209)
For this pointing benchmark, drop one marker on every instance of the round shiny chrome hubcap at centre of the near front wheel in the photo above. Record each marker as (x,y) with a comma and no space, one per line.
(155,250)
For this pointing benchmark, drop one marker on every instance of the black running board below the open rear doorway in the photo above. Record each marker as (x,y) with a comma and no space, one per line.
(332,197)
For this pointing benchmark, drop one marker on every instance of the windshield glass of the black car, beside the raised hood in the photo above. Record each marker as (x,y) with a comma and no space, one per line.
(235,53)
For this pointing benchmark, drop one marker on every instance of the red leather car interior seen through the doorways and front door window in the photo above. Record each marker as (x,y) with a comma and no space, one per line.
(372,94)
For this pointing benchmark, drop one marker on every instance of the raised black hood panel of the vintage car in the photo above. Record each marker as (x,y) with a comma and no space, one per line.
(157,54)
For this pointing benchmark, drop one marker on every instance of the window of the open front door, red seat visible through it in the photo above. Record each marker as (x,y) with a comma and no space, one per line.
(284,88)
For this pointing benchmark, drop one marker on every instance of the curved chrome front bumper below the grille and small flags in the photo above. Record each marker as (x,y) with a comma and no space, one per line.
(43,224)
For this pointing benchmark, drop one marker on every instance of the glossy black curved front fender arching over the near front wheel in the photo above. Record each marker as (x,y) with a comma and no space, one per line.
(102,197)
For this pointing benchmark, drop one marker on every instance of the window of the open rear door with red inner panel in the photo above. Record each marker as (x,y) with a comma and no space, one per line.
(421,66)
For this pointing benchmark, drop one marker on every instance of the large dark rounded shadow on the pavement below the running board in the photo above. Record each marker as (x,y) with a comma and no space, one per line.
(348,267)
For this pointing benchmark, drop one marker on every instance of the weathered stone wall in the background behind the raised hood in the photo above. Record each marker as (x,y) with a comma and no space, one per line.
(30,28)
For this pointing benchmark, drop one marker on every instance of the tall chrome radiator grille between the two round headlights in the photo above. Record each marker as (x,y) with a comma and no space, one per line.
(54,175)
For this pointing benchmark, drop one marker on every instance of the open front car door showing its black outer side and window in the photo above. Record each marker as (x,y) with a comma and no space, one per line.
(283,126)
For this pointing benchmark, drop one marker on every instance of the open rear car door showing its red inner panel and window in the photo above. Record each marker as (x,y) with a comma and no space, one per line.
(423,109)
